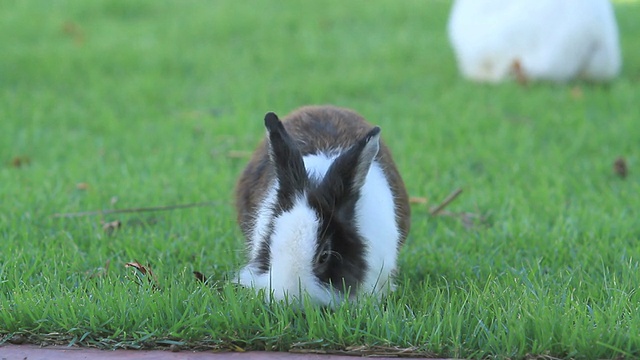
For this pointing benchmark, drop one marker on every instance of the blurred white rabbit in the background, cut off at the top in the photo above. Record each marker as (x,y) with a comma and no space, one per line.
(554,40)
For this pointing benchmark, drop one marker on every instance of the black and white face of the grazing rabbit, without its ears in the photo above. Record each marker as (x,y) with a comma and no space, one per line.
(308,253)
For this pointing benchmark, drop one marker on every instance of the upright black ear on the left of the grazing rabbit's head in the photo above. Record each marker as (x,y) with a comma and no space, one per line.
(287,160)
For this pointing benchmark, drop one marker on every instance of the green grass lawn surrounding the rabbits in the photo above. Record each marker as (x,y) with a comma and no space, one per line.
(143,102)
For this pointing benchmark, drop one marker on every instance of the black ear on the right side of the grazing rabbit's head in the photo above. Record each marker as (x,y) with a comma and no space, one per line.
(348,172)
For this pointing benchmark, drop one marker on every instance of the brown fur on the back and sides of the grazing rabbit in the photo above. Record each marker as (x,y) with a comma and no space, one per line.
(316,129)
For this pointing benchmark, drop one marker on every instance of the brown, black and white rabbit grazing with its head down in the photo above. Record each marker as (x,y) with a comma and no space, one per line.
(323,209)
